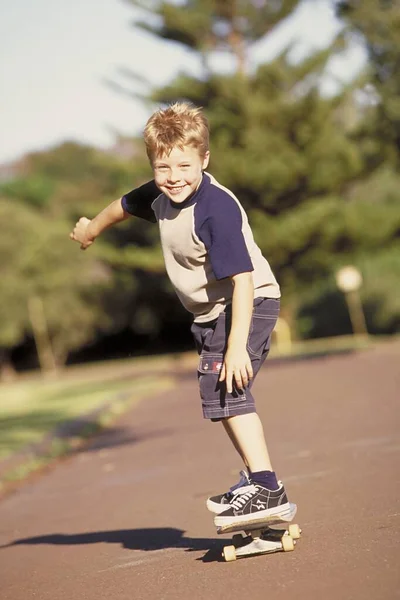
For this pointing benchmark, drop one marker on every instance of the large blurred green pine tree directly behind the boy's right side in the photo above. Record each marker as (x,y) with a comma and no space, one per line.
(293,157)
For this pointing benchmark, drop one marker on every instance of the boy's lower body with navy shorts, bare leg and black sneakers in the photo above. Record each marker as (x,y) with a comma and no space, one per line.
(237,412)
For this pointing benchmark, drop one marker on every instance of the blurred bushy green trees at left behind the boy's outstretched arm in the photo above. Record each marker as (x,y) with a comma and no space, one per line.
(78,297)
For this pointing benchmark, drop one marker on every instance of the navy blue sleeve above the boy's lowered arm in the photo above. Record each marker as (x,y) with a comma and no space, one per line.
(221,233)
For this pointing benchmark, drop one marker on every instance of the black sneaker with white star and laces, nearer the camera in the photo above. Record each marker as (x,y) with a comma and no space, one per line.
(254,503)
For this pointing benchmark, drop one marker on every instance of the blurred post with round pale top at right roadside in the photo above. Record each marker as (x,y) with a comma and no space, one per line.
(349,281)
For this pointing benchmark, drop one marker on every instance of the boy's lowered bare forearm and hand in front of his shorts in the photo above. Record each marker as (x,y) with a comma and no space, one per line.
(237,364)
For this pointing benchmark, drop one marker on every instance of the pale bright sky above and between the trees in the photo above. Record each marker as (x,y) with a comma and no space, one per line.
(56,58)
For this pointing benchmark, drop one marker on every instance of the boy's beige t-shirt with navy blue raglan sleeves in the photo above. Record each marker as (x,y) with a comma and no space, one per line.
(205,240)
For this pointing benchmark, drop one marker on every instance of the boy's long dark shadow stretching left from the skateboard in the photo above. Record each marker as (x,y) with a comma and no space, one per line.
(146,540)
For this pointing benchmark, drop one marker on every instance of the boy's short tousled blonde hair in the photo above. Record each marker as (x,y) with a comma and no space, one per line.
(180,124)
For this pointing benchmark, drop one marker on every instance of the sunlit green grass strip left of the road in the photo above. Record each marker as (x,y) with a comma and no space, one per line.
(29,410)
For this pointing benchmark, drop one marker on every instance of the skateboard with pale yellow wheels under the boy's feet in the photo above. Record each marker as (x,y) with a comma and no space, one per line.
(262,536)
